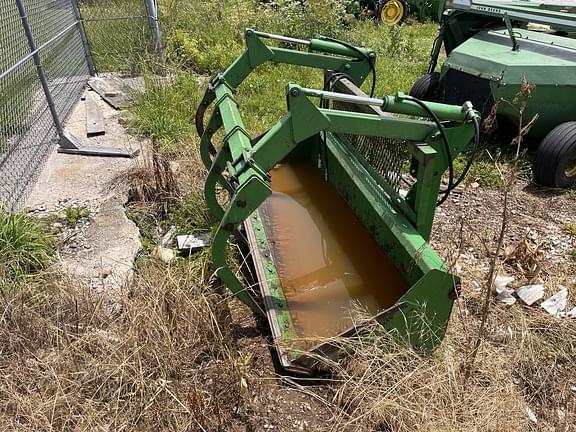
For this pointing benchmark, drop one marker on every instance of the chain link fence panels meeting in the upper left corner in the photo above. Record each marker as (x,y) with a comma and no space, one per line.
(48,50)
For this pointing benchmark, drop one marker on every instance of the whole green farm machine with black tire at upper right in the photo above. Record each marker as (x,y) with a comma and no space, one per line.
(492,47)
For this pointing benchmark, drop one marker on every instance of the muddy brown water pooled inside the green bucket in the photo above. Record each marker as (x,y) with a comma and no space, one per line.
(331,270)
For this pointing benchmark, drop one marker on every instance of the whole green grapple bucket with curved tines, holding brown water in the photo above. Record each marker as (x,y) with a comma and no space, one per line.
(335,202)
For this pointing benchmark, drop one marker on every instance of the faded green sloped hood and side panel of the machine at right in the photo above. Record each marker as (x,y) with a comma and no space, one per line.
(542,59)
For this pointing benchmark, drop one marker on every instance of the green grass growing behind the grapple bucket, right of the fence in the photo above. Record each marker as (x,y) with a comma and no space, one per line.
(207,36)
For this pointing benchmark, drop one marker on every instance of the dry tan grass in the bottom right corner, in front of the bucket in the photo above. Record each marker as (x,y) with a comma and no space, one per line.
(526,361)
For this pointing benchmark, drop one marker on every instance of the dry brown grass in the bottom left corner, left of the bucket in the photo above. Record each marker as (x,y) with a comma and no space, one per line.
(157,358)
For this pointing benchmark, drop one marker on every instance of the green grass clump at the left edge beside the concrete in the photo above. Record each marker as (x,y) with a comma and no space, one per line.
(26,246)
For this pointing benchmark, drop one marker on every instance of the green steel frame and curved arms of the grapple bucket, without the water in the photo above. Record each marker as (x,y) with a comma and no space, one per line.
(400,223)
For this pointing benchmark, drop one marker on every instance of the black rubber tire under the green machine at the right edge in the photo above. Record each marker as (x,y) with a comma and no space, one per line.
(555,153)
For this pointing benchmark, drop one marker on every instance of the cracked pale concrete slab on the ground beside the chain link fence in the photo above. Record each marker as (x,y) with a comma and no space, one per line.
(101,249)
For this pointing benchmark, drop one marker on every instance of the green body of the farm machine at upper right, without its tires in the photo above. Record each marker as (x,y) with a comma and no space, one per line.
(479,44)
